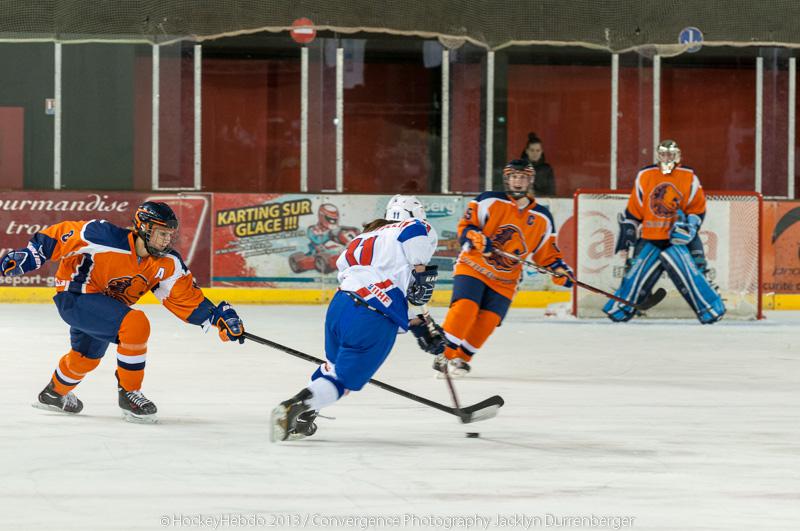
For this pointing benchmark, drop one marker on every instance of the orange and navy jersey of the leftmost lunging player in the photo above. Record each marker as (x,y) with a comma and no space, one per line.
(99,257)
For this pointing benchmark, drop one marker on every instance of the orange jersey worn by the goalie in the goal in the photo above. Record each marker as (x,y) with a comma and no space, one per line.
(656,199)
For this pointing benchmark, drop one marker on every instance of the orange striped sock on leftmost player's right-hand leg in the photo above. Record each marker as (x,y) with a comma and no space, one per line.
(131,351)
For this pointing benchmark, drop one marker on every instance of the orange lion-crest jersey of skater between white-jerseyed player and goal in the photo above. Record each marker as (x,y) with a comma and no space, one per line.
(529,231)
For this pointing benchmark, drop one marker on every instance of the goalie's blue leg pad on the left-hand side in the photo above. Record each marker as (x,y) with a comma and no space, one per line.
(645,270)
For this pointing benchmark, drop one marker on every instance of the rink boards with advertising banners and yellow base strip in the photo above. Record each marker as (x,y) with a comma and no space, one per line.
(281,248)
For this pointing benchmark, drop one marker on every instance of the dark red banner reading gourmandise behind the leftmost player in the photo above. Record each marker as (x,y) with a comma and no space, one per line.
(22,214)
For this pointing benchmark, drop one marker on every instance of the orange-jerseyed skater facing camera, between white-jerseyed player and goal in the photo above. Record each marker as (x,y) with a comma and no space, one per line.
(484,283)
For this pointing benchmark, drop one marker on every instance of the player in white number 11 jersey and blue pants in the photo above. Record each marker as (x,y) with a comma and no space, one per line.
(382,270)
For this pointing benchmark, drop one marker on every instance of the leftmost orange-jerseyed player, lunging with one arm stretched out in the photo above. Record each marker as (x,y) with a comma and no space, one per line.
(104,270)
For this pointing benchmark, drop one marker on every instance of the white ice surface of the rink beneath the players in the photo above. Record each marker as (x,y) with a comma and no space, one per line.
(675,425)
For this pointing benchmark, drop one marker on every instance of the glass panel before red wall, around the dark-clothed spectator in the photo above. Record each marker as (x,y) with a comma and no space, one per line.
(558,98)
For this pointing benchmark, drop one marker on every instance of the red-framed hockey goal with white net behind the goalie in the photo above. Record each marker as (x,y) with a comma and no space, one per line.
(731,236)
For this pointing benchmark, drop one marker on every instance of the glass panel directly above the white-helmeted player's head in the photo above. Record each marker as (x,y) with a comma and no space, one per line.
(392,115)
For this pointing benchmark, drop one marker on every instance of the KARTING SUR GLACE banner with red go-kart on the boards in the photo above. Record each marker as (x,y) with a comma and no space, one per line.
(293,240)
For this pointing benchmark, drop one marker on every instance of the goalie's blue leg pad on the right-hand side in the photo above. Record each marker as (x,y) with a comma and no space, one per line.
(692,284)
